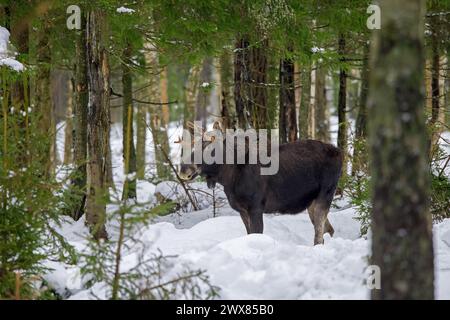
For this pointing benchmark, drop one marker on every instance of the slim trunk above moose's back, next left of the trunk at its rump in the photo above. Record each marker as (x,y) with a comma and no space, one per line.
(320,106)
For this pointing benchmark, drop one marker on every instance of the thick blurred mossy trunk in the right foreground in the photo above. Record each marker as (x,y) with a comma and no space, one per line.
(402,236)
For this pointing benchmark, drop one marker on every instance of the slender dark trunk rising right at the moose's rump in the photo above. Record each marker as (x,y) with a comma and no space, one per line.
(342,105)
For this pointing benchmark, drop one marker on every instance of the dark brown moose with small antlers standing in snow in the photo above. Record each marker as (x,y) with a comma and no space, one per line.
(307,178)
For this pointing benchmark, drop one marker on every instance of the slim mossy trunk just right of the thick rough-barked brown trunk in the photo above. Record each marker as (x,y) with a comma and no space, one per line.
(129,151)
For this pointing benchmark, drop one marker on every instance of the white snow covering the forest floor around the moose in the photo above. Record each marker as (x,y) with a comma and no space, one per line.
(282,263)
